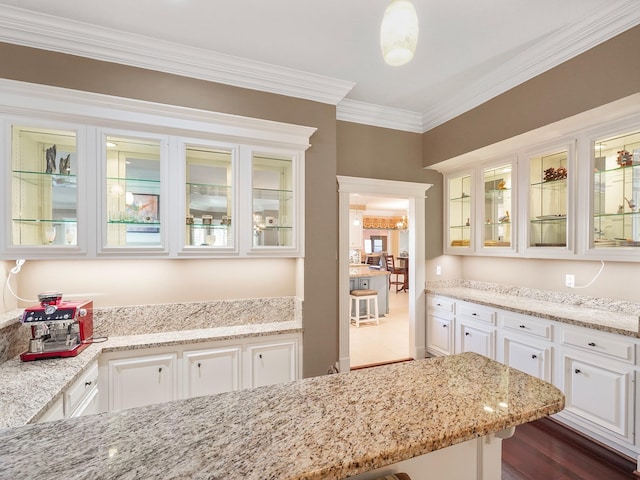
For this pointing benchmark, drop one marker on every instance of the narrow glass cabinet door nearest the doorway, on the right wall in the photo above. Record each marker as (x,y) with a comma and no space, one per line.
(459,207)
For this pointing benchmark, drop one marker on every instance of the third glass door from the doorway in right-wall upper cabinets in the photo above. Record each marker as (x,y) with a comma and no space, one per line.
(548,200)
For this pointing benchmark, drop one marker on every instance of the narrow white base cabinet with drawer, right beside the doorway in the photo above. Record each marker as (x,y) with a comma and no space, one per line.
(440,325)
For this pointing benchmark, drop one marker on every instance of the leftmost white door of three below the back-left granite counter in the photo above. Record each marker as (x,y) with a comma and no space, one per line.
(144,380)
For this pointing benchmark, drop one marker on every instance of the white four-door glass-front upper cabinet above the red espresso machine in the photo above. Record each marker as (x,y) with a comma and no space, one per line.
(169,185)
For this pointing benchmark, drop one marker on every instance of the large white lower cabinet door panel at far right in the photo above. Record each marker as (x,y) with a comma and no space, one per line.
(600,394)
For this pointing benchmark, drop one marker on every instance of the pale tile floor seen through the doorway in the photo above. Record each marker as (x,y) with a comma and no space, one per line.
(387,342)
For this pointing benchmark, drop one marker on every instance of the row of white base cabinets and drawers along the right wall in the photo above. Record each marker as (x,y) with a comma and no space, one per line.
(597,371)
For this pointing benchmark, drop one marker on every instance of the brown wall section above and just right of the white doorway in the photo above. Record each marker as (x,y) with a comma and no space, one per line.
(382,153)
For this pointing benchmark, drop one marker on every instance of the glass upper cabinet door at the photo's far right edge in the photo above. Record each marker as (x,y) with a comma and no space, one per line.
(616,191)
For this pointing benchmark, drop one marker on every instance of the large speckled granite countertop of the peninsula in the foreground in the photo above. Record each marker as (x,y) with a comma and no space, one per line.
(328,427)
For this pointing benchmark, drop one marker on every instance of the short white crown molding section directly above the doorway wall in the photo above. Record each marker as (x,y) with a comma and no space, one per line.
(379,116)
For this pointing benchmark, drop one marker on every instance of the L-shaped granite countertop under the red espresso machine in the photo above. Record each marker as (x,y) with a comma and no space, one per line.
(30,388)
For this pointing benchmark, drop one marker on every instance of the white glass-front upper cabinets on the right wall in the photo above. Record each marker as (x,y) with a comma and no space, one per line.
(574,197)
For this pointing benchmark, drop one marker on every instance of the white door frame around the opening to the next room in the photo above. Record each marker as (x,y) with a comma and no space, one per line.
(416,193)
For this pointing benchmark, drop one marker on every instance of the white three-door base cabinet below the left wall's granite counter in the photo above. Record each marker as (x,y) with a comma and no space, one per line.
(158,375)
